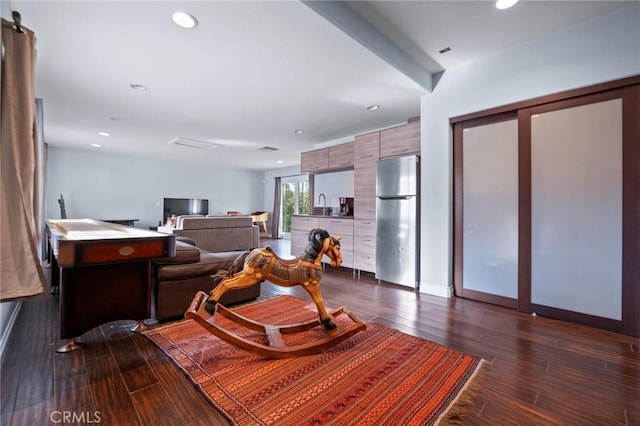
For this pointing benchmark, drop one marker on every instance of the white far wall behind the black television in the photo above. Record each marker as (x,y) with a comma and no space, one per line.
(105,186)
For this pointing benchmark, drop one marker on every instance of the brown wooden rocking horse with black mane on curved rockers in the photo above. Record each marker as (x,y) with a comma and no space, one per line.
(263,264)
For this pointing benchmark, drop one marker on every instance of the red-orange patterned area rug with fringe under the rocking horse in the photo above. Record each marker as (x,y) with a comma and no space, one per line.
(379,376)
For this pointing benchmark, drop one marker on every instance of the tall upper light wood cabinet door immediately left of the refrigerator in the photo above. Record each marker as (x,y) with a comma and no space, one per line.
(366,154)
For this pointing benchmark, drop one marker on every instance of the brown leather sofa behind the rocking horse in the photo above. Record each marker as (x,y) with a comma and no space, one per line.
(176,280)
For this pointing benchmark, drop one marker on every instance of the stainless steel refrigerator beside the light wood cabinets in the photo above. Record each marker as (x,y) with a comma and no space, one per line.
(397,224)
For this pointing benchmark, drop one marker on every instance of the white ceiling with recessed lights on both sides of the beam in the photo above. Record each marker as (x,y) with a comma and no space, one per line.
(251,73)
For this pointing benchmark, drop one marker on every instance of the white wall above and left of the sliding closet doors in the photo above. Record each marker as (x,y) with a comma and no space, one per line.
(603,49)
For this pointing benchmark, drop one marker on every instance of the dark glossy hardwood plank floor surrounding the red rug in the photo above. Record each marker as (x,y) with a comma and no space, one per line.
(543,371)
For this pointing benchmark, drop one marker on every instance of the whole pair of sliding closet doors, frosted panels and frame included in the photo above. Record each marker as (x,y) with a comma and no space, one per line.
(547,205)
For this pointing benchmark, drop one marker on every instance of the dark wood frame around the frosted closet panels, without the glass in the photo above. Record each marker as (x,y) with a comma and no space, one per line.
(628,90)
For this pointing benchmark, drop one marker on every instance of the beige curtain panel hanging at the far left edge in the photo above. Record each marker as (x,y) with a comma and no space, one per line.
(21,274)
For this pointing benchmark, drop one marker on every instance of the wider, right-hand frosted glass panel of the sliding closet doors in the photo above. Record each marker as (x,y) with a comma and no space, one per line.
(576,234)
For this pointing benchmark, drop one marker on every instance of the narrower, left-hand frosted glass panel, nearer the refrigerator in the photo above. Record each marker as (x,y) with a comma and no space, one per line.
(490,200)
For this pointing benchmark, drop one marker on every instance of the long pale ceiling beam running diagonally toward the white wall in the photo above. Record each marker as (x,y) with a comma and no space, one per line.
(345,18)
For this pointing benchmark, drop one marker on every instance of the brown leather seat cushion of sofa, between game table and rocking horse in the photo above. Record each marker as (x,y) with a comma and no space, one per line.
(209,264)
